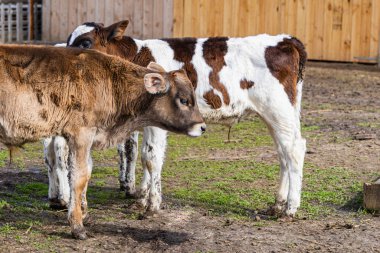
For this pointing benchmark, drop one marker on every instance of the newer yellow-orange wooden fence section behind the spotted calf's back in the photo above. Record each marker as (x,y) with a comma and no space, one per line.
(339,30)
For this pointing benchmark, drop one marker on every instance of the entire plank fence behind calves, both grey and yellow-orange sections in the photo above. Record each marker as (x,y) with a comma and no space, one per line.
(337,30)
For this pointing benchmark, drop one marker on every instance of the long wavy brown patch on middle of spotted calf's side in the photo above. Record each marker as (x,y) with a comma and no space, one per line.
(214,50)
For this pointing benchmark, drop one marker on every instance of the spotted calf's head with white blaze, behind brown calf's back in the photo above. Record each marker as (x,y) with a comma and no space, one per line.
(92,35)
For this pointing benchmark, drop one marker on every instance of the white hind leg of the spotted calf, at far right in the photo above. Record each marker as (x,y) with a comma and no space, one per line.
(283,121)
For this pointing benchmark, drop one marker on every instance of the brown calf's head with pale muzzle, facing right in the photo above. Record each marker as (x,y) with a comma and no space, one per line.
(174,107)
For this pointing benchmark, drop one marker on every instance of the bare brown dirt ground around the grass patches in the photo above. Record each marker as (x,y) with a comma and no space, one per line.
(343,100)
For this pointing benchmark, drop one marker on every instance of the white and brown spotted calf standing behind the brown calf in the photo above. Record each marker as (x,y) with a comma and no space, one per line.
(231,76)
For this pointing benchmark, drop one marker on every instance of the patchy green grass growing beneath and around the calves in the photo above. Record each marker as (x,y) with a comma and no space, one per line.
(222,177)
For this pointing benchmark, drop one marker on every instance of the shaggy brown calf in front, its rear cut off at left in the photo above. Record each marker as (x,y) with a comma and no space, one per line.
(92,100)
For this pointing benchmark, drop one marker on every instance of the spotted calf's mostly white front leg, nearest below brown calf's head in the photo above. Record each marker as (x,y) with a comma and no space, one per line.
(153,152)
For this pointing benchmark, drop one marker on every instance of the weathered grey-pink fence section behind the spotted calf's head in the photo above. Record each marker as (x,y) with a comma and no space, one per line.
(149,18)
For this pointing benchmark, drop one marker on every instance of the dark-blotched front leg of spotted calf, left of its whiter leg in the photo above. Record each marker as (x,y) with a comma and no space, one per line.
(128,153)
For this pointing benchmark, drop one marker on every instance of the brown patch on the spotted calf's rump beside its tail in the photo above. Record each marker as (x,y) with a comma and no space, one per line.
(286,62)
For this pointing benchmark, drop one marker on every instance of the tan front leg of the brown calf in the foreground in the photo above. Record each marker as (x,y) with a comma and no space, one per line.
(79,155)
